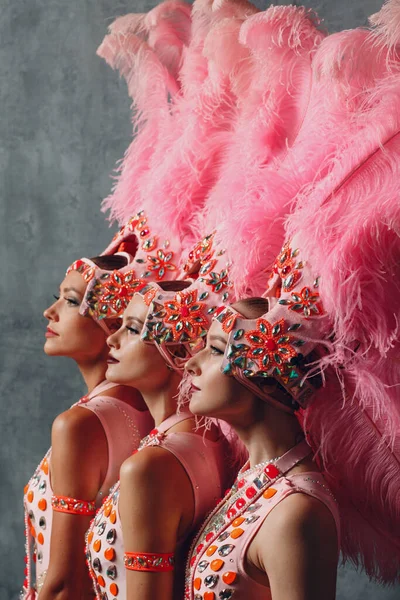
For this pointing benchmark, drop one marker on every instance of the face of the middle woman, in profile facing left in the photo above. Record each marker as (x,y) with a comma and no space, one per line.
(132,361)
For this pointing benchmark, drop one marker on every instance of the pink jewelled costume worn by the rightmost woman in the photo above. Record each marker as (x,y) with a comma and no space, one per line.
(217,560)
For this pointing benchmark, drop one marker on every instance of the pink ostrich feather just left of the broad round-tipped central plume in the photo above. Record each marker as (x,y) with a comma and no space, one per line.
(185,166)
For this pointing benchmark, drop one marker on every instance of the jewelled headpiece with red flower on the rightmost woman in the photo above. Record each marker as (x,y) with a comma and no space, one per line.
(276,345)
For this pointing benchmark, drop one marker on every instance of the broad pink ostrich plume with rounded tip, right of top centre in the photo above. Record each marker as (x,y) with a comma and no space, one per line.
(272,99)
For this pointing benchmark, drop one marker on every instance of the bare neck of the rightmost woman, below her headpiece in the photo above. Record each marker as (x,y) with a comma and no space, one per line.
(268,433)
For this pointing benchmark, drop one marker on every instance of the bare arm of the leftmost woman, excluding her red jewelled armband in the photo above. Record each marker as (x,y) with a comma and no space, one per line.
(79,462)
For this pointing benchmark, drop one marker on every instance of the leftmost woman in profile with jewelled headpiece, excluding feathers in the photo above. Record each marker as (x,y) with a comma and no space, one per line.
(89,441)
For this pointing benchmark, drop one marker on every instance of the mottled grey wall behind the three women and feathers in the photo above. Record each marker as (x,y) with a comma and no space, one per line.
(64,122)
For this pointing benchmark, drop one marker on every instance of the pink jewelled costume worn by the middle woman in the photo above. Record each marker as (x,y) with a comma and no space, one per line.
(203,461)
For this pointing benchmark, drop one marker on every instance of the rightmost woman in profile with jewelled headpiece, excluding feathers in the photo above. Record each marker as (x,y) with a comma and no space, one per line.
(280,511)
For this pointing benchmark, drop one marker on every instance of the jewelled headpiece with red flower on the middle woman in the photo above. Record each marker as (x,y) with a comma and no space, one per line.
(184,317)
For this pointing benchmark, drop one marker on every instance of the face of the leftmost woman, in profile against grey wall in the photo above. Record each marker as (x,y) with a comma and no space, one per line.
(69,333)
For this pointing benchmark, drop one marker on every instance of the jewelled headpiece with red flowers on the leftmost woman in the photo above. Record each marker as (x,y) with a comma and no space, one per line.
(109,292)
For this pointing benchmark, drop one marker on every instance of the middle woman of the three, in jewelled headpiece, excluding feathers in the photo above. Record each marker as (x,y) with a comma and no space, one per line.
(137,543)
